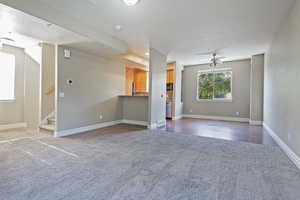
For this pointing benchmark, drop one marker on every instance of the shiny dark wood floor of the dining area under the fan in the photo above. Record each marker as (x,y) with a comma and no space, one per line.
(233,131)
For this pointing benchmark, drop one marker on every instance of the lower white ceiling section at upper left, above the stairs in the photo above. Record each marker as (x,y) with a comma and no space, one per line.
(27,31)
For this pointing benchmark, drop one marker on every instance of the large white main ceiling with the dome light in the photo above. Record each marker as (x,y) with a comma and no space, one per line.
(178,28)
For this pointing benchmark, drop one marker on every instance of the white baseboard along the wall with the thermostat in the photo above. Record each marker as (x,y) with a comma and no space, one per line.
(74,131)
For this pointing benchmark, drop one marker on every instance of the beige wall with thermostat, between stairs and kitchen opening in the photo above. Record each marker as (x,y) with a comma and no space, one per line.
(97,82)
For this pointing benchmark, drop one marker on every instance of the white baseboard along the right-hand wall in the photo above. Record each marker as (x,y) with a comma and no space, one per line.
(288,151)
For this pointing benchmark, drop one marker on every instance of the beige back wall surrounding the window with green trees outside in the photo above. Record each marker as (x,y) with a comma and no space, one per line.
(240,88)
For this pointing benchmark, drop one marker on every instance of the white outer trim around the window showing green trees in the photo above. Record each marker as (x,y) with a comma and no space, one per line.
(215,100)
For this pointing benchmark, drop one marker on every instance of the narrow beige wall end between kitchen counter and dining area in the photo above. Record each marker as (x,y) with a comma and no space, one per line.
(157,88)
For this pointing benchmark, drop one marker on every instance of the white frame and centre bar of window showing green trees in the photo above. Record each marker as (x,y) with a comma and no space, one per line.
(221,100)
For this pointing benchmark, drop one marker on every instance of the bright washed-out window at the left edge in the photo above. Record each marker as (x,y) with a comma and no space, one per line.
(7,77)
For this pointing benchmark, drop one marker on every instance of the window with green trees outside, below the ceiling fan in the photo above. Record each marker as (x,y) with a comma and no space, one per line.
(215,85)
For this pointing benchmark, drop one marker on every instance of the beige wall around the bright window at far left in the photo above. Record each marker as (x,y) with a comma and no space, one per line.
(26,105)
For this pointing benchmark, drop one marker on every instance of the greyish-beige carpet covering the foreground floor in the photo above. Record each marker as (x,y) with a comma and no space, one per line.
(142,165)
